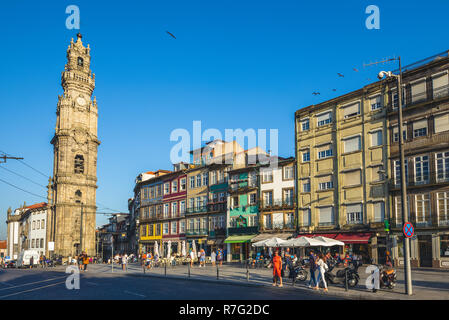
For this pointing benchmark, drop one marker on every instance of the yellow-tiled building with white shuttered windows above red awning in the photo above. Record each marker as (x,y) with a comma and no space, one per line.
(341,154)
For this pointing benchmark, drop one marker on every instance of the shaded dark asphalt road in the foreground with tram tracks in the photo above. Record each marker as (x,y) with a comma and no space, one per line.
(99,283)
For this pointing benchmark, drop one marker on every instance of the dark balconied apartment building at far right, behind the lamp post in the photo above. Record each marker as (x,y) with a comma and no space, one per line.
(426,150)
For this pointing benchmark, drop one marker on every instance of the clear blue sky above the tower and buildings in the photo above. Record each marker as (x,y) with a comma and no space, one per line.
(235,64)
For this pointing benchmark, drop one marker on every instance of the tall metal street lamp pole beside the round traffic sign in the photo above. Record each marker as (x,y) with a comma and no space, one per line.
(407,268)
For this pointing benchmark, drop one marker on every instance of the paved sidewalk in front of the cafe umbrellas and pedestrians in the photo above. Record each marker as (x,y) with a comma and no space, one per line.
(427,285)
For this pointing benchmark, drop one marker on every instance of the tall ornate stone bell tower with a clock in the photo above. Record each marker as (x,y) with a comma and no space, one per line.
(72,189)
